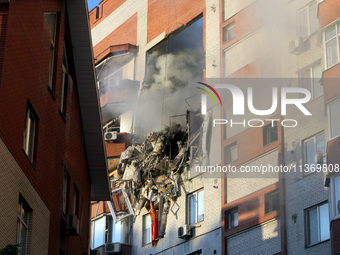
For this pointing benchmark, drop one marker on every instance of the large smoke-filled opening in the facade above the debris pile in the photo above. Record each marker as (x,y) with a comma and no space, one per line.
(173,64)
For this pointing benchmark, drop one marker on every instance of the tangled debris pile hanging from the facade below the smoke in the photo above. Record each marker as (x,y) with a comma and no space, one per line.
(149,172)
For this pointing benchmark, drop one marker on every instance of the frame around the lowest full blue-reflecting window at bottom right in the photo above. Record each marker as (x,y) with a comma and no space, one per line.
(307,226)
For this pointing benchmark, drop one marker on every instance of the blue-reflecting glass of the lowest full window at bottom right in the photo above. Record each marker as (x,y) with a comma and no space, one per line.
(317,224)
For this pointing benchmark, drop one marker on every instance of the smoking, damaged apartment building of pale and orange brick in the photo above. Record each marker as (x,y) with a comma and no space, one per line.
(147,53)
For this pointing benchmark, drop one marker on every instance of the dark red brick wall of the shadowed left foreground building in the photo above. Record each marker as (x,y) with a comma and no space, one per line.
(59,142)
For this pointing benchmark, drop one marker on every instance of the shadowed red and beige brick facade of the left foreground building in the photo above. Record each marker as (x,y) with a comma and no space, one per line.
(59,138)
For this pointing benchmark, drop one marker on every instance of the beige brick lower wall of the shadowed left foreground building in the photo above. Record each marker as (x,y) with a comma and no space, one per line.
(13,183)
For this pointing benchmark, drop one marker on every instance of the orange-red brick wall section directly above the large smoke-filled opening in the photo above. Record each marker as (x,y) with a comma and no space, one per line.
(169,15)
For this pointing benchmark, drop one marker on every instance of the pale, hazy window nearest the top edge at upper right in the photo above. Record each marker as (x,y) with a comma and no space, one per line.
(308,20)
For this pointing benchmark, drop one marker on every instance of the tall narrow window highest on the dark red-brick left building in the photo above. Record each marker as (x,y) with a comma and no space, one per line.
(51,18)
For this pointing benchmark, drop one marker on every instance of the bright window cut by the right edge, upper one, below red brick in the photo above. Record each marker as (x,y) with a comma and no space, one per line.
(331,37)
